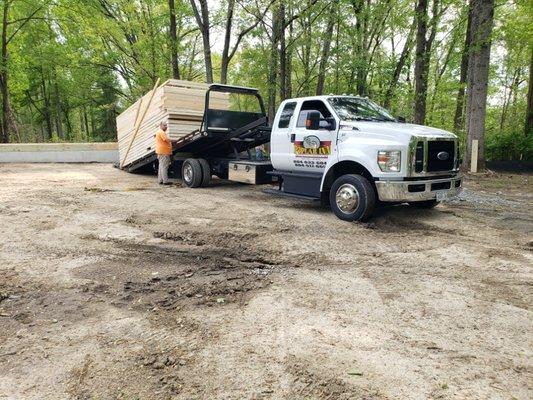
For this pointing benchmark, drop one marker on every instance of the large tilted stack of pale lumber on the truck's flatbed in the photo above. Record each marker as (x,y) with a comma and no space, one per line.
(180,103)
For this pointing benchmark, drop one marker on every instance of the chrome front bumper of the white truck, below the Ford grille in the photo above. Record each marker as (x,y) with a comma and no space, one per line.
(420,190)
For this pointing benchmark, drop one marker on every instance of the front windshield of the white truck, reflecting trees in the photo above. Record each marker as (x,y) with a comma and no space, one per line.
(358,109)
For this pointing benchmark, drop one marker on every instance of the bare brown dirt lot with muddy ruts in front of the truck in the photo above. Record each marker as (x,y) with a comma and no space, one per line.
(114,287)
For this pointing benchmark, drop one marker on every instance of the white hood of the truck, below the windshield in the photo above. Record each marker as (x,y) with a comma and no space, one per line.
(398,131)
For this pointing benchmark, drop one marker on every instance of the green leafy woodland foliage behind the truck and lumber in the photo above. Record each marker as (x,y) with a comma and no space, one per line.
(74,65)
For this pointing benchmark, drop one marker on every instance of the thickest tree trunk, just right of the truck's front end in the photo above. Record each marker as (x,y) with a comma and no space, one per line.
(478,73)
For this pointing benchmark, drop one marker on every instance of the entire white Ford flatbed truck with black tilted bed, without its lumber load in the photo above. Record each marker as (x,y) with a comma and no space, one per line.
(345,151)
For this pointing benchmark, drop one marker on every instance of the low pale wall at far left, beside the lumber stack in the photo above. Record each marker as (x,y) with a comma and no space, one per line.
(59,152)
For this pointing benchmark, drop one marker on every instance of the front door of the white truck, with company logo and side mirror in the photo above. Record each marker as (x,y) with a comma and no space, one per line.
(312,148)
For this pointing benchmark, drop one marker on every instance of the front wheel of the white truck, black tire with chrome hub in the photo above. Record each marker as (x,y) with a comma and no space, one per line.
(352,198)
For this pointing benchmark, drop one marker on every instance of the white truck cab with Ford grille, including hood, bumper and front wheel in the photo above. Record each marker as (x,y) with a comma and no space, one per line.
(351,153)
